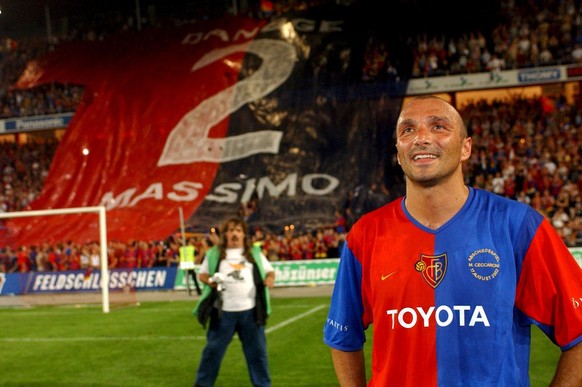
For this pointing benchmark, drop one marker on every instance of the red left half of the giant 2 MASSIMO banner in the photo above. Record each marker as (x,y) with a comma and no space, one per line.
(150,133)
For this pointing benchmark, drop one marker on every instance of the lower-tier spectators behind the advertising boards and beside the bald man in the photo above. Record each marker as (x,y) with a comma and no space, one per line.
(529,150)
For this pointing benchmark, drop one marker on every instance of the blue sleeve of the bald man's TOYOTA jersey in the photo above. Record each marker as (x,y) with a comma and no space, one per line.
(343,329)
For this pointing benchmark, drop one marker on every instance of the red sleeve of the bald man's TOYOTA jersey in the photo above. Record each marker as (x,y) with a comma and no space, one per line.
(549,291)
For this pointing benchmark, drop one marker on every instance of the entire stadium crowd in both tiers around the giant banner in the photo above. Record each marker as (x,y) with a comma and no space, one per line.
(529,149)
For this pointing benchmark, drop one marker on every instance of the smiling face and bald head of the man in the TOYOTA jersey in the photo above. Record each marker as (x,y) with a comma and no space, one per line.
(431,145)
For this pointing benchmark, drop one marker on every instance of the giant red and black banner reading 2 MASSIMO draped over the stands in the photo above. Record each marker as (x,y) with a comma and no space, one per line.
(218,116)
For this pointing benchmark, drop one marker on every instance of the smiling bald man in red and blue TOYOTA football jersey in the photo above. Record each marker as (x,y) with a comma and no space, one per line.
(452,277)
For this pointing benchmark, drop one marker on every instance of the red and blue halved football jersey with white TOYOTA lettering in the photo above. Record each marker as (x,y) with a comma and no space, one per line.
(454,306)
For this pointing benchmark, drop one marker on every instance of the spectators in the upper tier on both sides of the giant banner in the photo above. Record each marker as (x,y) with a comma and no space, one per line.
(527,34)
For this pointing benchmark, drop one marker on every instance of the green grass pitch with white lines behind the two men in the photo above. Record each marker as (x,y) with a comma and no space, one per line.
(159,344)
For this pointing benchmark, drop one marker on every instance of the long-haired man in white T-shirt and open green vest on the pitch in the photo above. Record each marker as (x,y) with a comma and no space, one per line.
(242,275)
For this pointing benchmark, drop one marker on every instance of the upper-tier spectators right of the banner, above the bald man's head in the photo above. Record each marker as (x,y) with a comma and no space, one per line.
(527,34)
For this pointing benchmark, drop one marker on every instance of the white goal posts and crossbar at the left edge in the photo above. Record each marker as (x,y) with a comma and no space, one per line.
(100,210)
